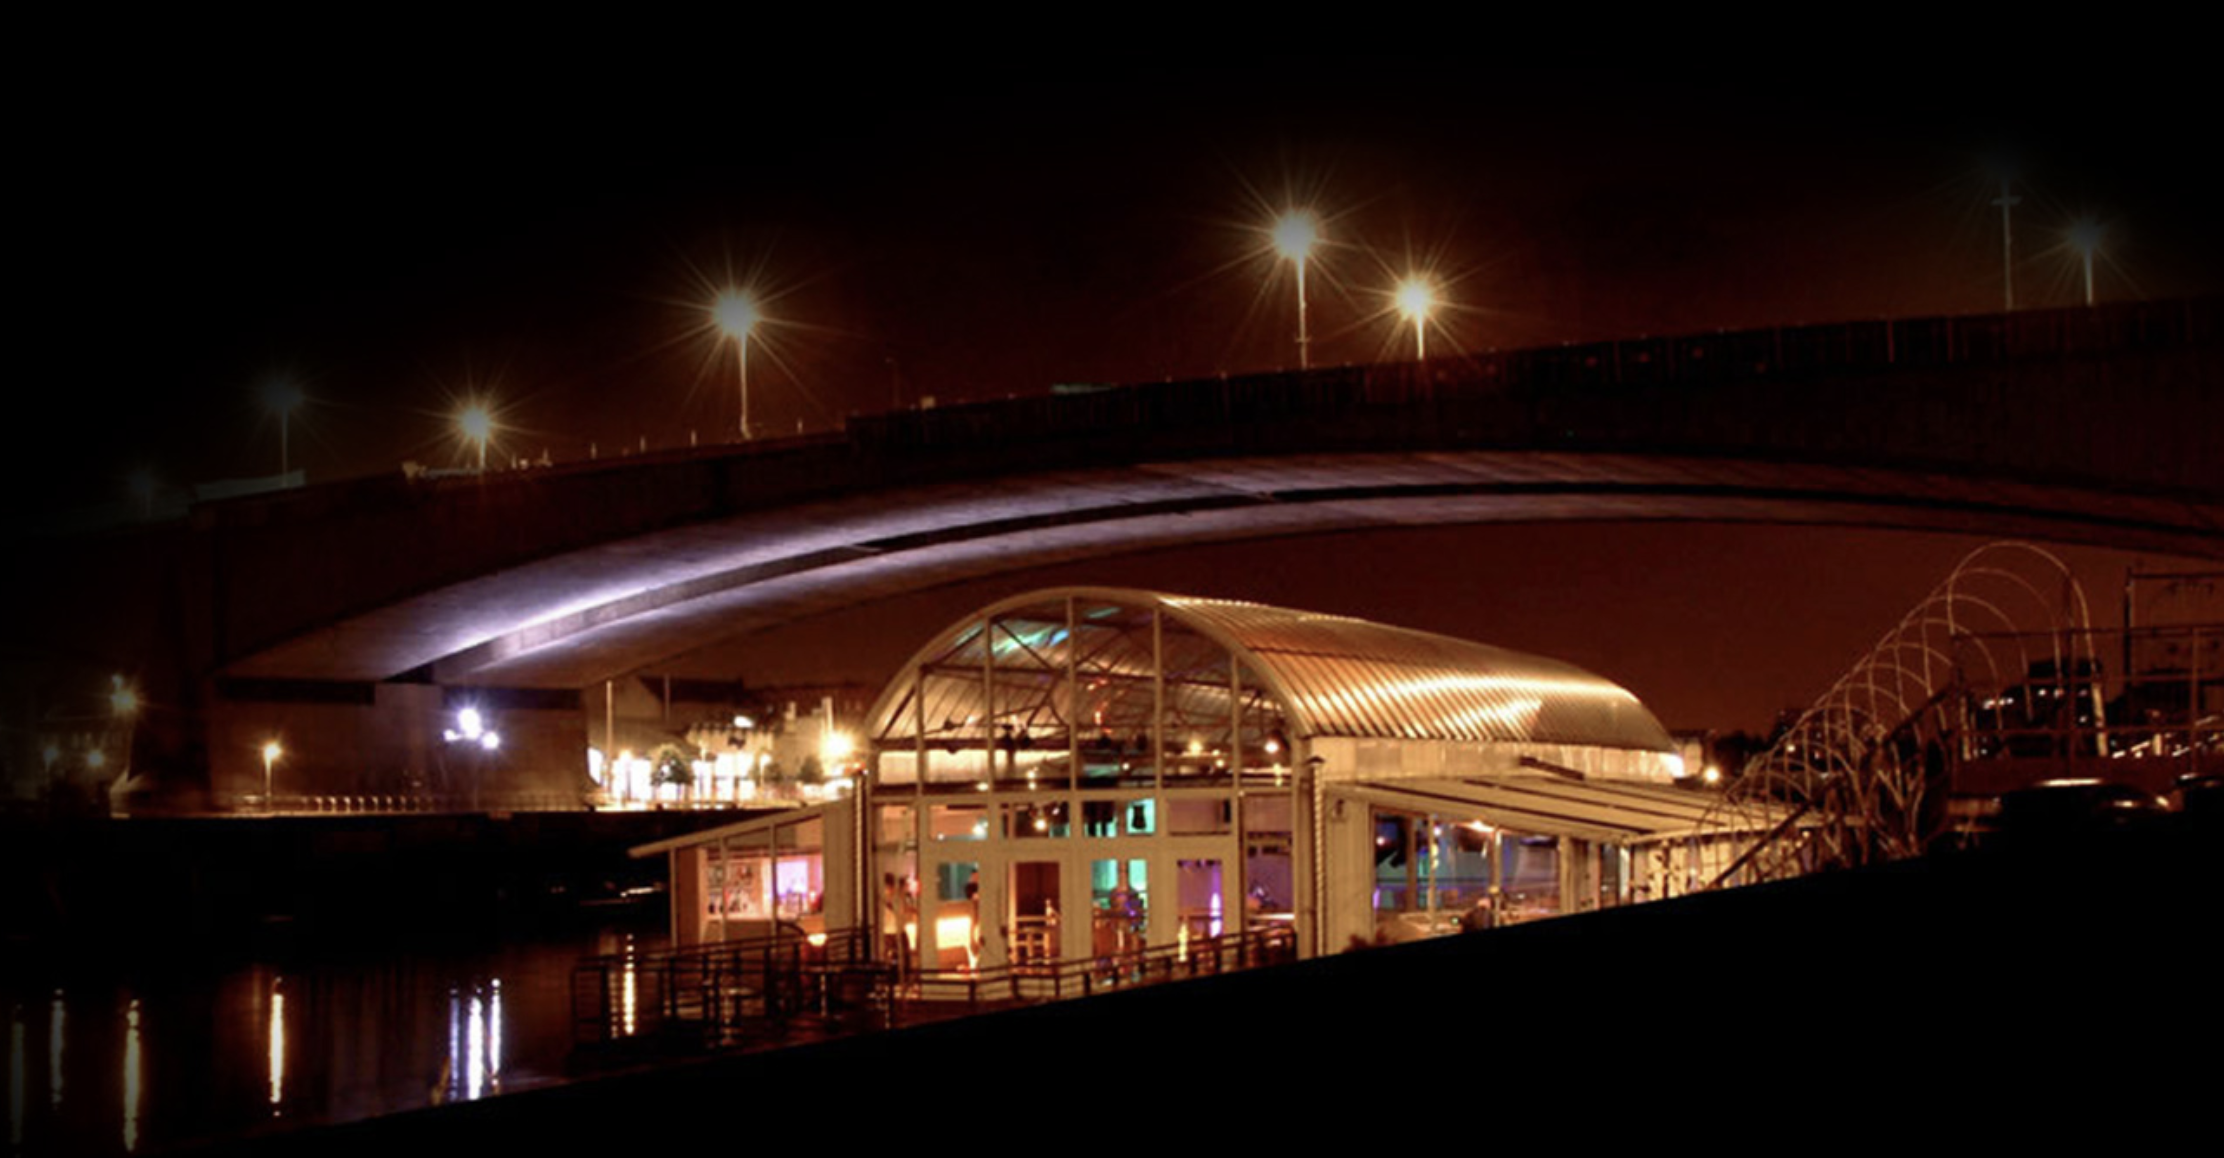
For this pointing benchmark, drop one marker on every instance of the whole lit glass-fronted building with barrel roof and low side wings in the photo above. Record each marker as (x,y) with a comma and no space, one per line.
(1082,770)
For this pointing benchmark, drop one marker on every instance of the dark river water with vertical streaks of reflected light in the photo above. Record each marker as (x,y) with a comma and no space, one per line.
(183,1059)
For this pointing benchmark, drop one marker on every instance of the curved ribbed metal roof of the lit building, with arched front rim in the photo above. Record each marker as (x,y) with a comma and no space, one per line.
(1338,677)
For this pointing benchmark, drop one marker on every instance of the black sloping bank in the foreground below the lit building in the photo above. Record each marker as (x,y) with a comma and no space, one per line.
(1992,995)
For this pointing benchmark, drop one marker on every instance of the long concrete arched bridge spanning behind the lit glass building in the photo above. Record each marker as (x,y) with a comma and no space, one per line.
(2094,426)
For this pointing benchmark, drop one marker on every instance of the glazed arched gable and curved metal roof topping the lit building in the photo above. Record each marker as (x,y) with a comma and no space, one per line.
(1069,677)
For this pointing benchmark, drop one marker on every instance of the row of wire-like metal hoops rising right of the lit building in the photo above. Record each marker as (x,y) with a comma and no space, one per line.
(1865,768)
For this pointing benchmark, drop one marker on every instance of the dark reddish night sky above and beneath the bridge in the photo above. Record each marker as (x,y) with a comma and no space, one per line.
(397,250)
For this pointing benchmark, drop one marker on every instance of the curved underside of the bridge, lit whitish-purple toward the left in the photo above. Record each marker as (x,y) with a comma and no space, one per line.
(624,606)
